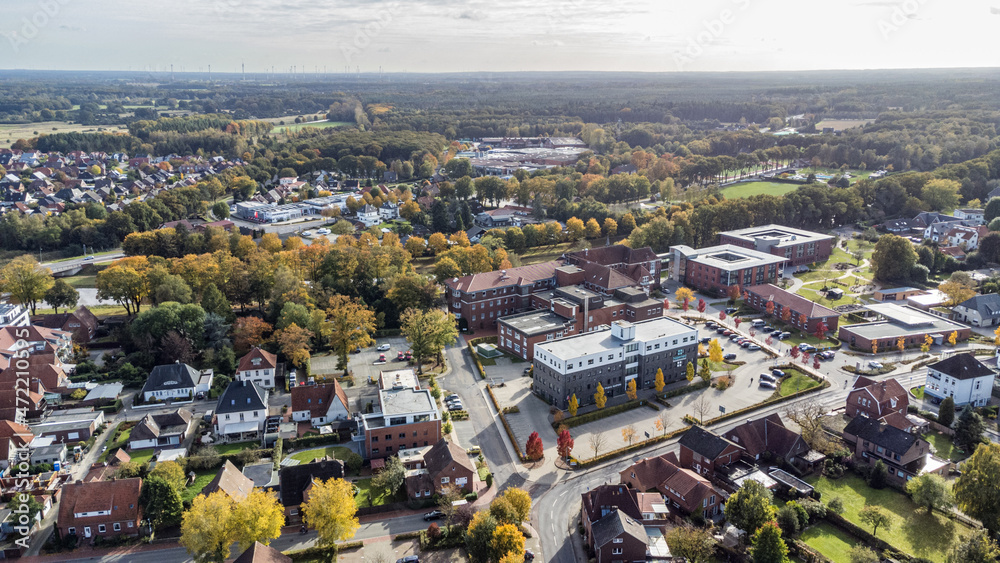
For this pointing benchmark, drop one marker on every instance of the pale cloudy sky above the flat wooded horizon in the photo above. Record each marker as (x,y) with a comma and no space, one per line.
(497,36)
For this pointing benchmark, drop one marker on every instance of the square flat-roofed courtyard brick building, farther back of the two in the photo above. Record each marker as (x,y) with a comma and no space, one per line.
(795,245)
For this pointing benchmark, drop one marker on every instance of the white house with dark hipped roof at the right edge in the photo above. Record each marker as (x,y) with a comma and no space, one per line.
(963,378)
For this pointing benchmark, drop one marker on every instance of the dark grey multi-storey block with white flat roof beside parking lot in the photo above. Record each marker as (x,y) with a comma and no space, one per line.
(613,356)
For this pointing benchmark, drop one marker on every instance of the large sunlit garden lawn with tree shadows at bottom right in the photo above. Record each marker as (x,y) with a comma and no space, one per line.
(912,530)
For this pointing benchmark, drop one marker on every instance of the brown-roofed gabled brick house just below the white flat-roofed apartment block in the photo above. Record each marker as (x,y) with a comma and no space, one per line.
(445,463)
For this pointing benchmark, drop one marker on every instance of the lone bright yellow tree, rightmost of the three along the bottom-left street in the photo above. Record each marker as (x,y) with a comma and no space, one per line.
(331,511)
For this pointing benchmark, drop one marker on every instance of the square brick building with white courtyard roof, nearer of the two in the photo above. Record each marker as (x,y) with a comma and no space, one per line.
(717,268)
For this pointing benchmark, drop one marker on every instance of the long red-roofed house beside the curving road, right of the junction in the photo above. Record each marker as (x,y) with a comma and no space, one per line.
(682,488)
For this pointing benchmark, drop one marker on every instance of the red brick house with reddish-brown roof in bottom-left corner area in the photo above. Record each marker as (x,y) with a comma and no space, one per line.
(100,508)
